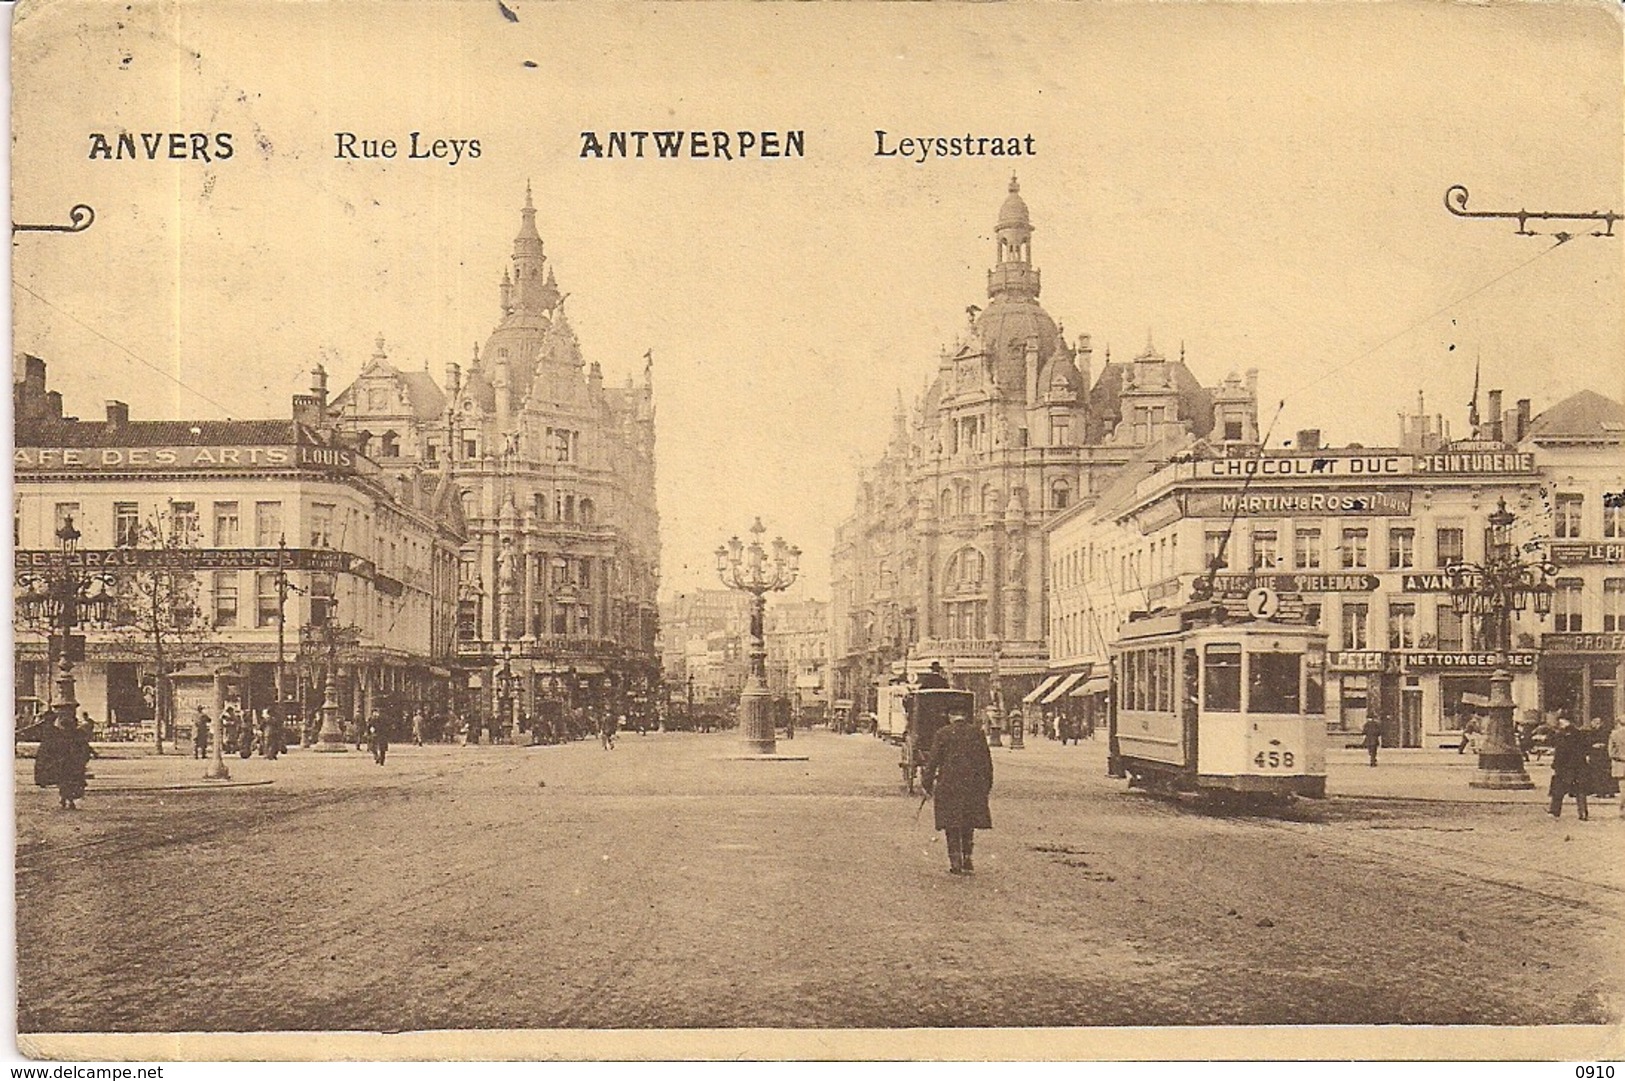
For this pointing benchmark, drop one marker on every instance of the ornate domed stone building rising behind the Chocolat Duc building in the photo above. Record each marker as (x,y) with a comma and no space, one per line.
(943,555)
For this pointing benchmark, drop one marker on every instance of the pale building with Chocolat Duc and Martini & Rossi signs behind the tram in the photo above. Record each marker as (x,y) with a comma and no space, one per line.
(1358,544)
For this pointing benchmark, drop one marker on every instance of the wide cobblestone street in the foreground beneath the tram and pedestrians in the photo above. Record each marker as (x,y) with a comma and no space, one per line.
(665,887)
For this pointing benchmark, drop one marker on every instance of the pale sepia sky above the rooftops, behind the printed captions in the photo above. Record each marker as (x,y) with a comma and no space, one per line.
(1260,185)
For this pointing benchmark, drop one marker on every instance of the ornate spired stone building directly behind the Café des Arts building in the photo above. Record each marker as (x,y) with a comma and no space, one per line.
(557,474)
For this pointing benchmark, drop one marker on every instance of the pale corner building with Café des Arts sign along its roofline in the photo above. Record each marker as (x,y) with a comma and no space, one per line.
(236,550)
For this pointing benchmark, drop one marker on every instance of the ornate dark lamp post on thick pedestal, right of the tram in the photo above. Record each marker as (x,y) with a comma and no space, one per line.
(1493,593)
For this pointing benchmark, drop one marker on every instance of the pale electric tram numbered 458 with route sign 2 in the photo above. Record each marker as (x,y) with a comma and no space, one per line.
(1203,703)
